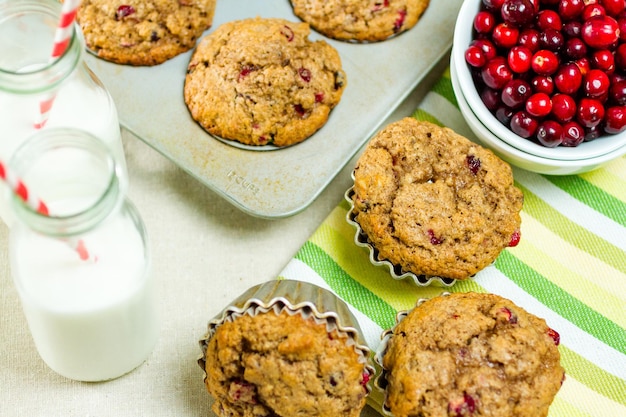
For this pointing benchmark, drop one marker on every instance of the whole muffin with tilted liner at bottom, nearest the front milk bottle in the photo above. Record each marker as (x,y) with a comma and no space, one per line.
(272,357)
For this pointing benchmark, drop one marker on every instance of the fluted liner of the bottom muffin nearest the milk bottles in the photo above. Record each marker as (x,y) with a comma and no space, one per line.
(295,297)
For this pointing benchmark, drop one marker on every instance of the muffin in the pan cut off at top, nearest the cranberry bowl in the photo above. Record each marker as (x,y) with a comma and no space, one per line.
(358,20)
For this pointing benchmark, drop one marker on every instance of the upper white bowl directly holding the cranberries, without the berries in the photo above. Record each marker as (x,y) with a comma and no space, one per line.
(604,145)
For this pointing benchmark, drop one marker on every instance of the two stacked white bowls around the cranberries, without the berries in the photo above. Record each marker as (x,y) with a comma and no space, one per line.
(523,152)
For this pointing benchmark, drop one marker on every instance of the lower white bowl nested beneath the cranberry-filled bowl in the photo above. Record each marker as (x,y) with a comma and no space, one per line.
(520,158)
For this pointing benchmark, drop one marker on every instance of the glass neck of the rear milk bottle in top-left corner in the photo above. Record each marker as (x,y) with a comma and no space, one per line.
(27,30)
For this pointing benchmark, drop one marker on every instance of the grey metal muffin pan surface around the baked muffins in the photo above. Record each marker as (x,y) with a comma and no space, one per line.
(281,182)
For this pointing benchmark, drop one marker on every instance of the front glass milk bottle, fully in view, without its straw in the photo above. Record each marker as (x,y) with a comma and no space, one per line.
(82,271)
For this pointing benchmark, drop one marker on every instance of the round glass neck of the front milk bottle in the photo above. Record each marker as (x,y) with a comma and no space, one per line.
(74,174)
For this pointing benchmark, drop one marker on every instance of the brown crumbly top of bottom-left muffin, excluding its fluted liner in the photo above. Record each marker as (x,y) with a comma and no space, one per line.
(283,365)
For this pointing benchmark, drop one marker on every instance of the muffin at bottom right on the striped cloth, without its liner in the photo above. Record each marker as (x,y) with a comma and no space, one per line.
(471,354)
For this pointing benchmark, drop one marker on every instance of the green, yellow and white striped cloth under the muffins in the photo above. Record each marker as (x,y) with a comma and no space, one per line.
(569,268)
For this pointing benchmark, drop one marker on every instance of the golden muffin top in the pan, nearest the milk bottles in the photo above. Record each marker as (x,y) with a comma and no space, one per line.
(143,33)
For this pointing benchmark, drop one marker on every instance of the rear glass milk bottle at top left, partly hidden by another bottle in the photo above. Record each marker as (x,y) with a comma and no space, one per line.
(29,77)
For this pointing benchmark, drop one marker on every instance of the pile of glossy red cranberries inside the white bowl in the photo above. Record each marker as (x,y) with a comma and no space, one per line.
(552,71)
